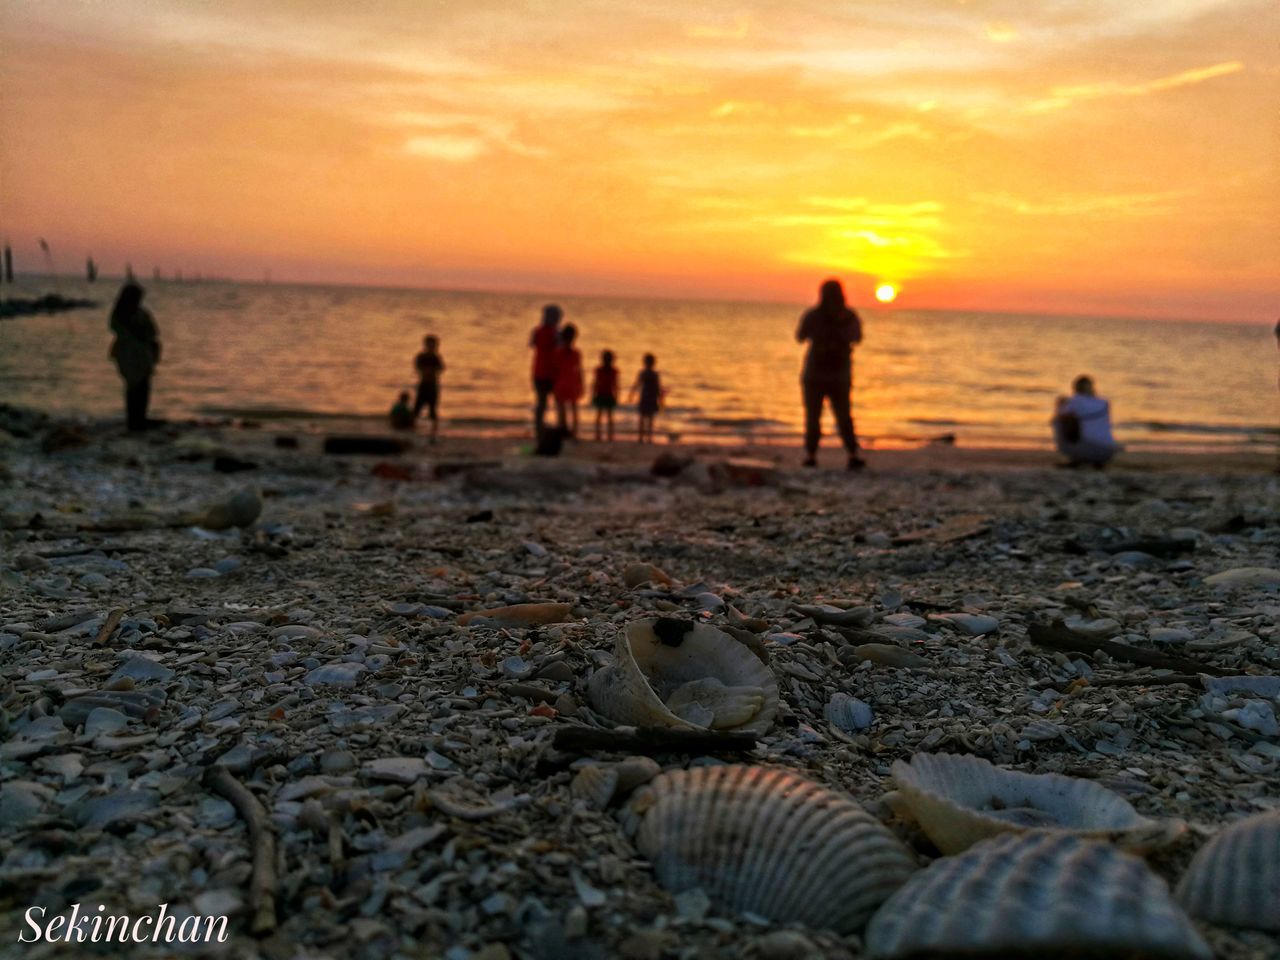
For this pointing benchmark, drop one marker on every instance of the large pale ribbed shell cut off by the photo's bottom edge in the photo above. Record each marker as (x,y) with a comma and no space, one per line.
(1035,895)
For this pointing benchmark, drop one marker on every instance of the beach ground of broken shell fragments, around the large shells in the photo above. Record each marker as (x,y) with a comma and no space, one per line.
(403,753)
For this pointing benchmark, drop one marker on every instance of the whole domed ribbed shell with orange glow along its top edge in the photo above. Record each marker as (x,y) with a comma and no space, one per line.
(769,843)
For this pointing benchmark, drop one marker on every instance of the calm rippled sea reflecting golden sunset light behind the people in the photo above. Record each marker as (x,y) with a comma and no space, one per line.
(732,369)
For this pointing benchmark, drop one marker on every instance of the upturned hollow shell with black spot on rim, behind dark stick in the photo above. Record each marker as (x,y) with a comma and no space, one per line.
(675,674)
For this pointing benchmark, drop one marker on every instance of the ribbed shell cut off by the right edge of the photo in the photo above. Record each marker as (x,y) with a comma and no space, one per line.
(1235,880)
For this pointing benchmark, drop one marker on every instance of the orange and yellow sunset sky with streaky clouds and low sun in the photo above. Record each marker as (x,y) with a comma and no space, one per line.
(1085,157)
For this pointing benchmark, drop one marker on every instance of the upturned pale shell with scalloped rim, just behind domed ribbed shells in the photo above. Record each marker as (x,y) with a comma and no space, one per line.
(959,801)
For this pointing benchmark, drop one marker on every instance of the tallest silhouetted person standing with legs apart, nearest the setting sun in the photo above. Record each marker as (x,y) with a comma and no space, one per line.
(833,331)
